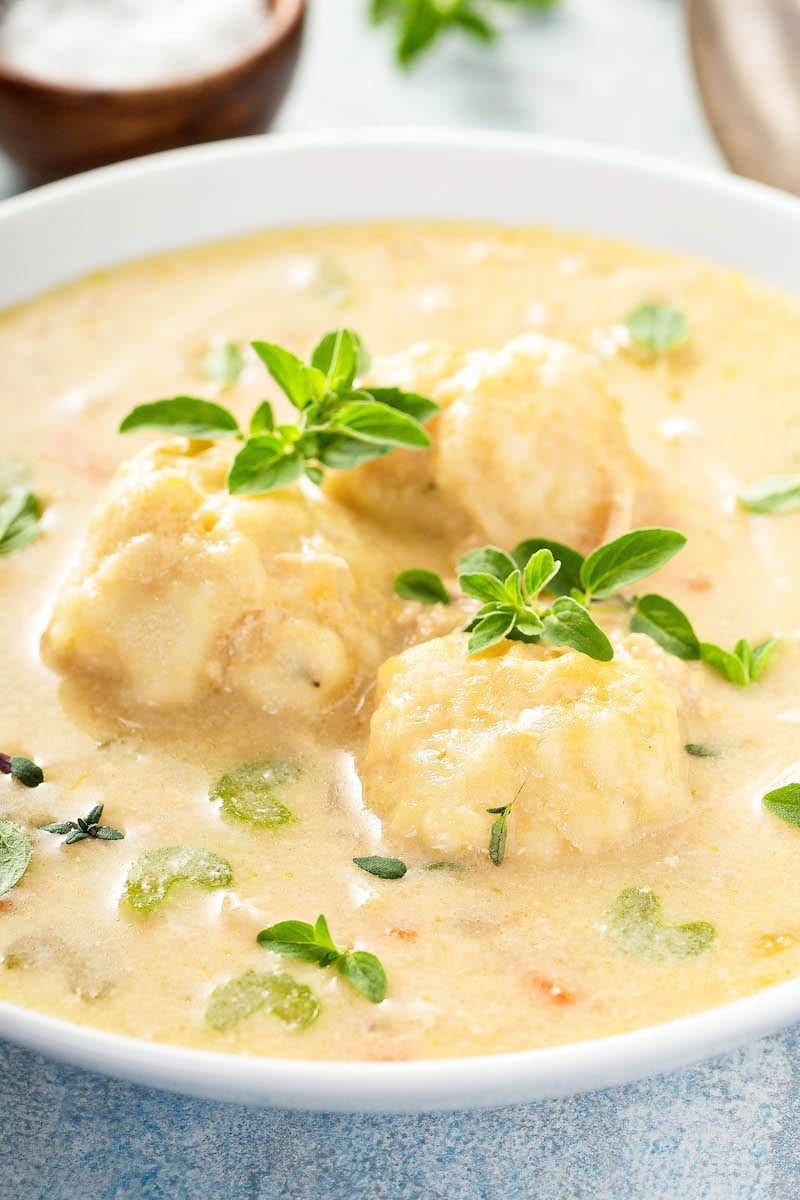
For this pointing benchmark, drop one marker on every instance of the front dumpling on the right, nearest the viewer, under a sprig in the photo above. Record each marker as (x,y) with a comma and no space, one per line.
(593,752)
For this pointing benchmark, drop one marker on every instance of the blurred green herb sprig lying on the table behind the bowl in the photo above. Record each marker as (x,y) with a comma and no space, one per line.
(420,23)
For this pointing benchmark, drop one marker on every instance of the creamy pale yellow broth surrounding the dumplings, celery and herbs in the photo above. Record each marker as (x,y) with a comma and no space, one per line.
(489,959)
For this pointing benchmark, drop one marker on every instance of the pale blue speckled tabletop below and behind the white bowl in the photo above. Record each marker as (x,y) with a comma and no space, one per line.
(726,1130)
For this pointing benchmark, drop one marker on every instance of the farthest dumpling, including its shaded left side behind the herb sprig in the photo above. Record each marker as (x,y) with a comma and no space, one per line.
(530,443)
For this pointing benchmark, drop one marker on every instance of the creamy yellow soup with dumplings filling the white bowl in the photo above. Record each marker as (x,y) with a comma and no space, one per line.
(238,682)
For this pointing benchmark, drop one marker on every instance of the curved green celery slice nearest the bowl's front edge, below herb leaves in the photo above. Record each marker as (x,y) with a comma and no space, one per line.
(282,997)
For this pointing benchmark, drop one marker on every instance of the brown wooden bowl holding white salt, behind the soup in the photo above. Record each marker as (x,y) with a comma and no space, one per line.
(52,130)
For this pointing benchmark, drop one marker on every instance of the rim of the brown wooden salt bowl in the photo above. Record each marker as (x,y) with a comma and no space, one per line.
(285,19)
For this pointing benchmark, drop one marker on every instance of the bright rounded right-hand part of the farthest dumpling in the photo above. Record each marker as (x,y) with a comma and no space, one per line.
(532,443)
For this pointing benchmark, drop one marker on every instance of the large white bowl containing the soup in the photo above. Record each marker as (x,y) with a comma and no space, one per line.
(212,193)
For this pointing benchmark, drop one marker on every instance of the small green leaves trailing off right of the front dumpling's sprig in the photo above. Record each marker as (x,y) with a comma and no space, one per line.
(671,628)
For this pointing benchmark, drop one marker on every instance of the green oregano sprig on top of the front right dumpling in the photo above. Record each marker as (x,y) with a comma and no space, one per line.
(510,586)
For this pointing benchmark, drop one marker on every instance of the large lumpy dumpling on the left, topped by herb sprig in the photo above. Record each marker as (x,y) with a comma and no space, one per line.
(183,587)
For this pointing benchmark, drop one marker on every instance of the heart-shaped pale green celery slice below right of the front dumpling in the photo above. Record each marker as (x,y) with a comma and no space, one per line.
(636,928)
